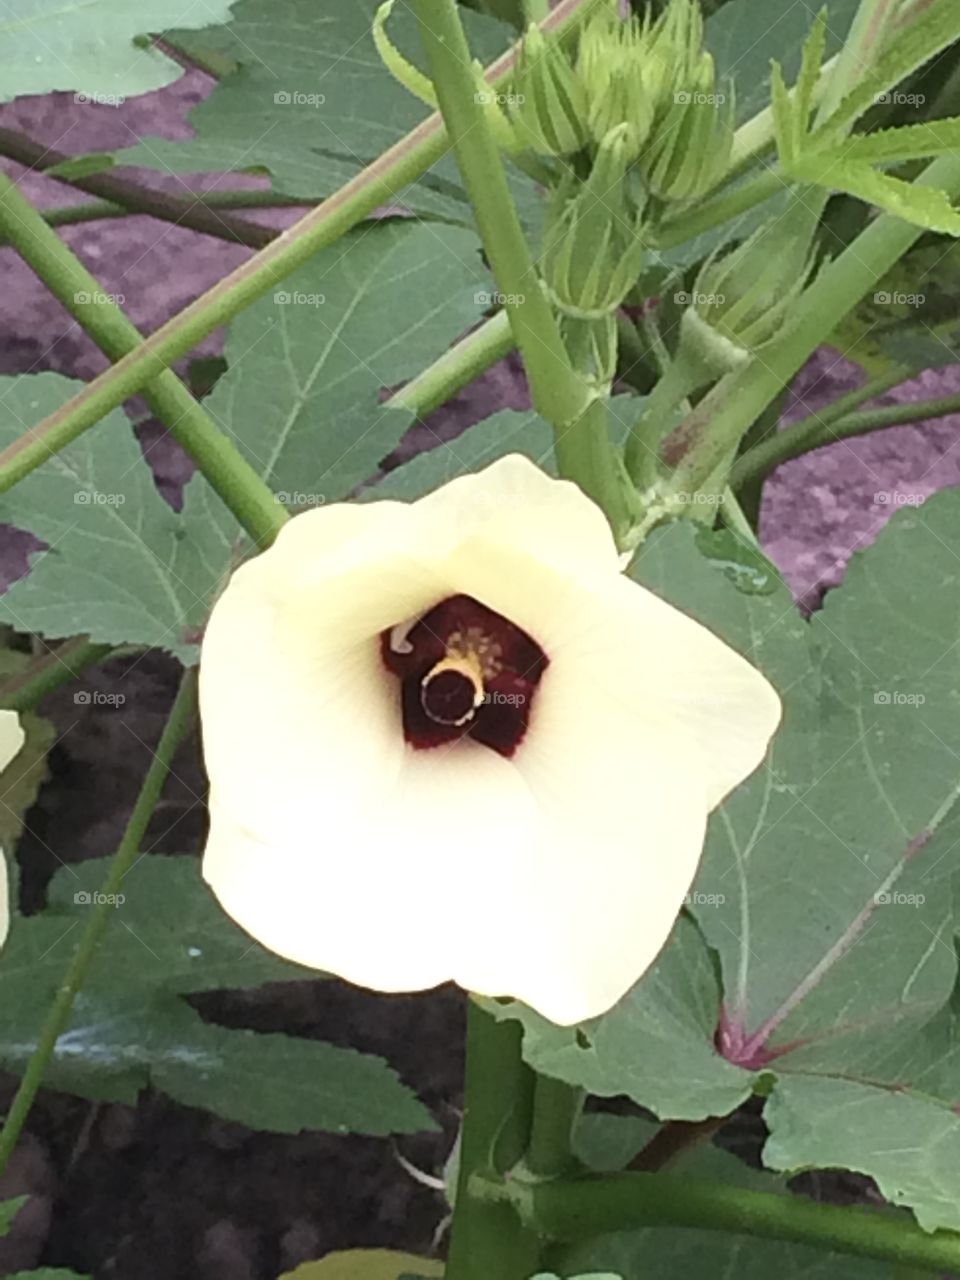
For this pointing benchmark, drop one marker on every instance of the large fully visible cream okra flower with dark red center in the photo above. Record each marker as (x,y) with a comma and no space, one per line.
(451,740)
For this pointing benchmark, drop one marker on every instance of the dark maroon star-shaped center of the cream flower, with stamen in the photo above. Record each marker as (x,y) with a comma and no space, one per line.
(464,671)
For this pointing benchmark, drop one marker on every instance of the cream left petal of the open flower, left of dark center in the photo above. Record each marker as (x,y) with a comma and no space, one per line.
(294,694)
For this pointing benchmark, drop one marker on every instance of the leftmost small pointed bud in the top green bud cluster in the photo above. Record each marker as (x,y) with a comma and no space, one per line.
(550,109)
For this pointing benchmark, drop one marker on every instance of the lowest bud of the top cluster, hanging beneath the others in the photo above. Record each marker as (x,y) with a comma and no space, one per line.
(592,240)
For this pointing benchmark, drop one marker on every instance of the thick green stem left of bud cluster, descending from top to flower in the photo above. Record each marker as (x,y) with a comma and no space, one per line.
(560,395)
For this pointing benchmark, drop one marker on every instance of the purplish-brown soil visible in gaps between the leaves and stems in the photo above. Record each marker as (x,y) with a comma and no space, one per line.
(159,1191)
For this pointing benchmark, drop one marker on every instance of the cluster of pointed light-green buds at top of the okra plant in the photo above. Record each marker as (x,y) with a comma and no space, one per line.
(636,113)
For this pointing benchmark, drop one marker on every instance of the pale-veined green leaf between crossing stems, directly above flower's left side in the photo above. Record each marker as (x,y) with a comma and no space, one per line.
(301,395)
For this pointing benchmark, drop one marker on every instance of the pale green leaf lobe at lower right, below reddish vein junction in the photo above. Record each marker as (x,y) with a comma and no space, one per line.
(911,1148)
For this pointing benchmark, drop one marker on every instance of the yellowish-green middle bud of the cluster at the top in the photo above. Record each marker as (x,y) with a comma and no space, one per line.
(610,66)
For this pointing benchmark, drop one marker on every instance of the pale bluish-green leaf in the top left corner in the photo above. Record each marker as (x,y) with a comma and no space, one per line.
(92,48)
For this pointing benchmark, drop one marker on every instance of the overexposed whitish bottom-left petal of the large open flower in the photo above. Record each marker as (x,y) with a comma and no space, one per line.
(390,893)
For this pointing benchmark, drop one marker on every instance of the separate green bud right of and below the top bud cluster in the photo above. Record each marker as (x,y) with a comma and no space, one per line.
(744,298)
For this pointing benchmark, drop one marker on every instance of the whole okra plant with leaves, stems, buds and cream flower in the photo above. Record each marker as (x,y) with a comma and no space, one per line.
(529,712)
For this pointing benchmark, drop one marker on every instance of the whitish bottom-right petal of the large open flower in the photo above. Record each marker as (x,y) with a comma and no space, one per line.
(623,830)
